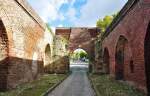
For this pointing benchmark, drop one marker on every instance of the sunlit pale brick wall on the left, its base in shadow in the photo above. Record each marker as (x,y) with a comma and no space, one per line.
(21,40)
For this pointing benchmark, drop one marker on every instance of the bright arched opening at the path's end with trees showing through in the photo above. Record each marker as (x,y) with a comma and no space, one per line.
(79,58)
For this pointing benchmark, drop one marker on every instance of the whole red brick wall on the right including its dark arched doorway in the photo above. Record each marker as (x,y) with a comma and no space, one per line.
(131,24)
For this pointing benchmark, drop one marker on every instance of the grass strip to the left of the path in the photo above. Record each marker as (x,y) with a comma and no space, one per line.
(37,87)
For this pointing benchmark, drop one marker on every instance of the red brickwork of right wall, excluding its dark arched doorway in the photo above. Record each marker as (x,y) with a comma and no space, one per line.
(133,27)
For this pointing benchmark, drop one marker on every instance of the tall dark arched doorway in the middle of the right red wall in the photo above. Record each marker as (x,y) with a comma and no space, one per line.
(119,58)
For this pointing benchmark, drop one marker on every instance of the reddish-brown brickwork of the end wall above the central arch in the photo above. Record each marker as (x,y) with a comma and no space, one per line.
(78,37)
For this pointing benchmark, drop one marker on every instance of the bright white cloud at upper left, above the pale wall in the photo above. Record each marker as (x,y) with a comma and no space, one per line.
(48,9)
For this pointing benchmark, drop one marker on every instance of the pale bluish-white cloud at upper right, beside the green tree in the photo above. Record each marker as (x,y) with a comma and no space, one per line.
(95,9)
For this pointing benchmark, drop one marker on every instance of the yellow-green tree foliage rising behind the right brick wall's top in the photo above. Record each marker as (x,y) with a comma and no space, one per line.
(105,22)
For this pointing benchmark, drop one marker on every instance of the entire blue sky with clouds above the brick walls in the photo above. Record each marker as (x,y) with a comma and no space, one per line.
(75,13)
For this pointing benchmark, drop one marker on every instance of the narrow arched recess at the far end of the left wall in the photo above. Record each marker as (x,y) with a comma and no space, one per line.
(47,58)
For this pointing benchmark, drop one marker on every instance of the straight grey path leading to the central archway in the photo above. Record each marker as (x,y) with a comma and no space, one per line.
(77,84)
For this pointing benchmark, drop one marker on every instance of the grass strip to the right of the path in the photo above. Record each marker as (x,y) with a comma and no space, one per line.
(105,86)
